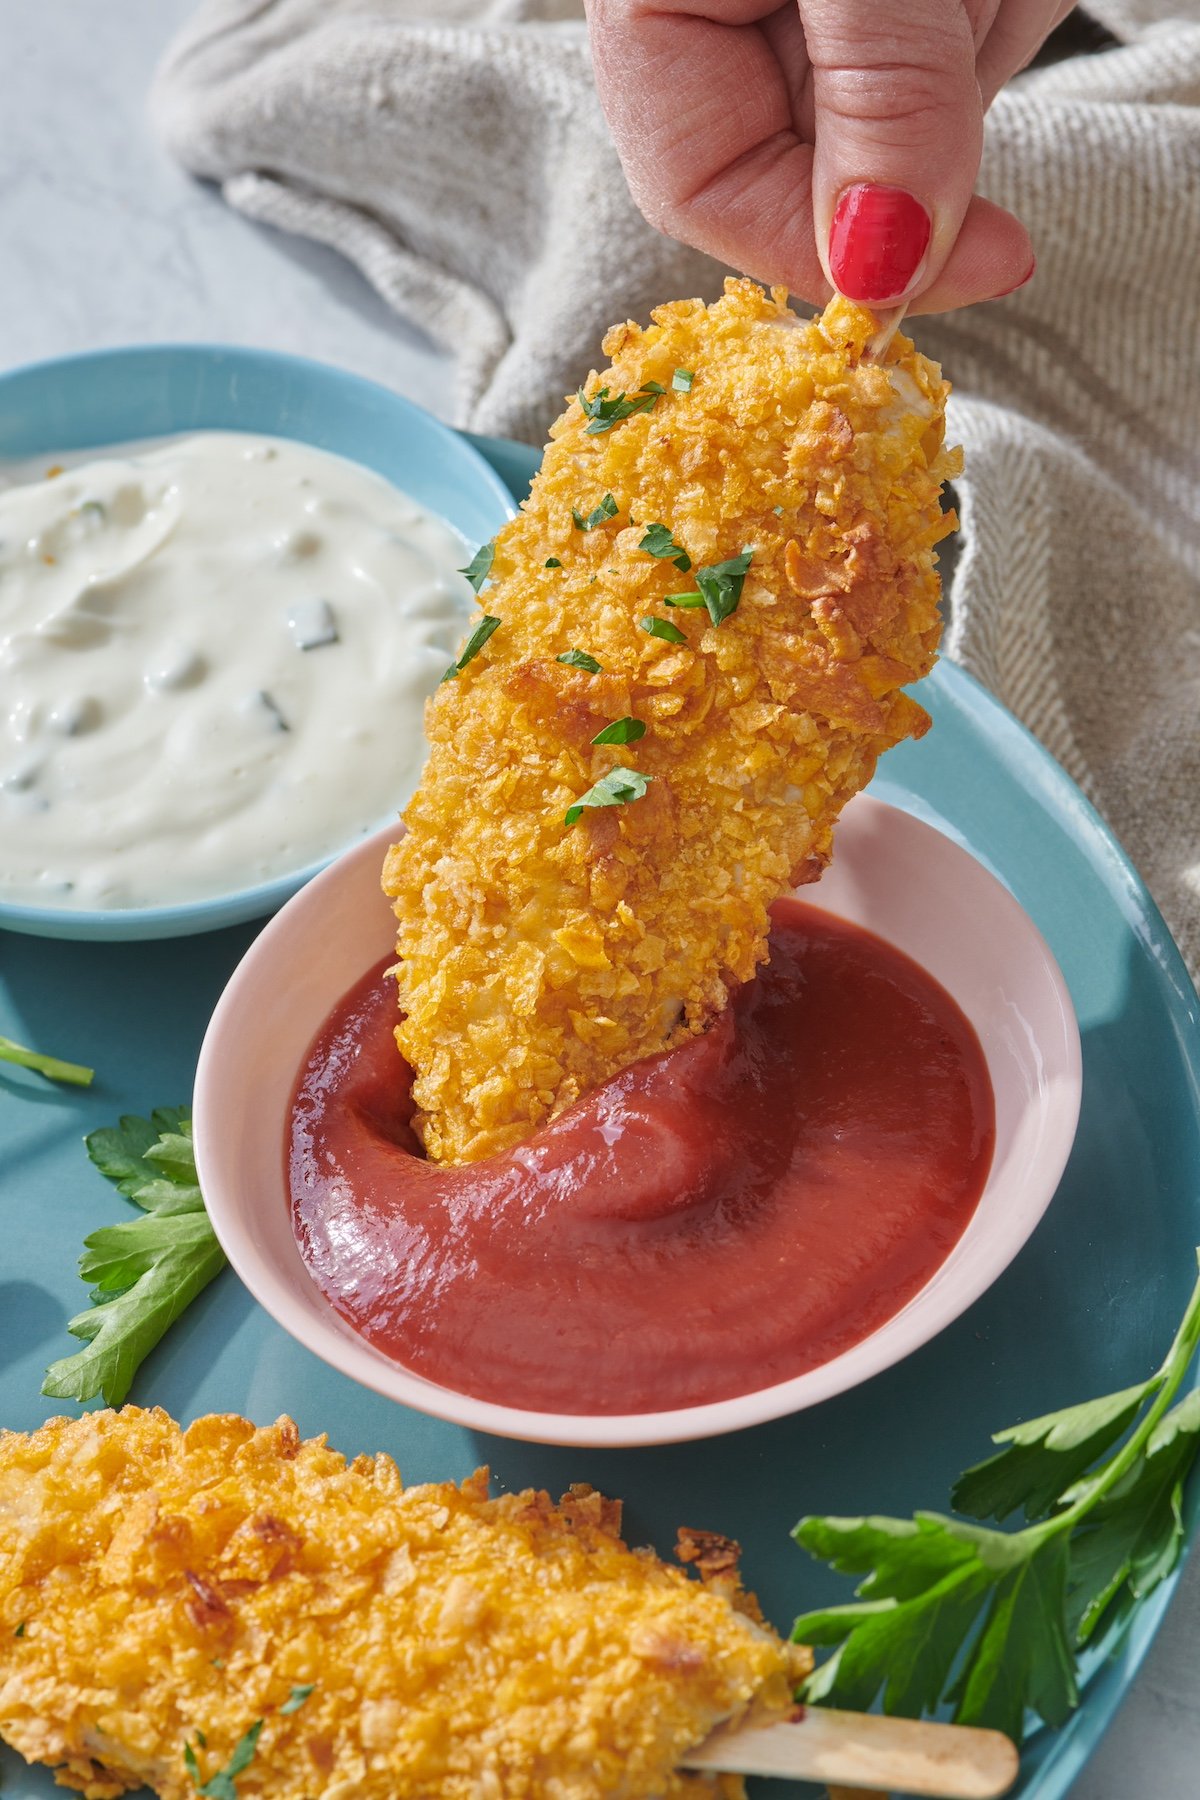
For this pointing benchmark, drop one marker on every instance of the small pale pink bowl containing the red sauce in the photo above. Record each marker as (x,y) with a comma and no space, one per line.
(893,874)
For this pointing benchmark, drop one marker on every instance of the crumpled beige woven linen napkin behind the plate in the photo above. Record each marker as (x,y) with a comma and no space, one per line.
(456,152)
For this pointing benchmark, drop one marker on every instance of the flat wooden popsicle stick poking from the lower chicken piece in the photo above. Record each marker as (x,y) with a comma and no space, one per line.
(864,1750)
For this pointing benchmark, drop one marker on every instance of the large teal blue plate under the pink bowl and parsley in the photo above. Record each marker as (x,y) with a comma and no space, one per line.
(1089,1306)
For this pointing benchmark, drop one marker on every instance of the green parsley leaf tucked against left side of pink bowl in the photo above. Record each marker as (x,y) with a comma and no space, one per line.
(147,1270)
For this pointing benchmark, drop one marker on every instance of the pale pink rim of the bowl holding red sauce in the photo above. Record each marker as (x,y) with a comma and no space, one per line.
(339,1345)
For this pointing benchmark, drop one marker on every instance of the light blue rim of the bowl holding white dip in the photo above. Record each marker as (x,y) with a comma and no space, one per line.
(188,917)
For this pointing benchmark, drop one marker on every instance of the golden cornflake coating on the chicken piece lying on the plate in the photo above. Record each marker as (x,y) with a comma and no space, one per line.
(175,1583)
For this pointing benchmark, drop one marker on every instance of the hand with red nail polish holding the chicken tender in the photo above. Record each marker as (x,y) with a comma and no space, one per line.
(823,143)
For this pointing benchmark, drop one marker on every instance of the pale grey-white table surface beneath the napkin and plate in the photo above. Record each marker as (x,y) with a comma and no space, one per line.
(105,242)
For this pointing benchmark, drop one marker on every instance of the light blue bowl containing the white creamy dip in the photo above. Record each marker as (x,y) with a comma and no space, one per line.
(152,391)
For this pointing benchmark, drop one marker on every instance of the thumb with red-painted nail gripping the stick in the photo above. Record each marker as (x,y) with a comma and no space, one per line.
(899,138)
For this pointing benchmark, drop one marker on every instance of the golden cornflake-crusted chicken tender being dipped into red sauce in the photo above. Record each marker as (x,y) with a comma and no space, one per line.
(541,957)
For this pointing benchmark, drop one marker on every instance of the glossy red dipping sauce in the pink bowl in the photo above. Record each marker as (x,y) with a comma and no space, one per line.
(712,1221)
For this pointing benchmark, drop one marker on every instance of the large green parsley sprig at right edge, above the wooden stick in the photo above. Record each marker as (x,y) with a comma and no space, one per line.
(990,1623)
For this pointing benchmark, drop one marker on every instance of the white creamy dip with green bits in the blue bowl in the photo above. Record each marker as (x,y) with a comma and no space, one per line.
(215,658)
